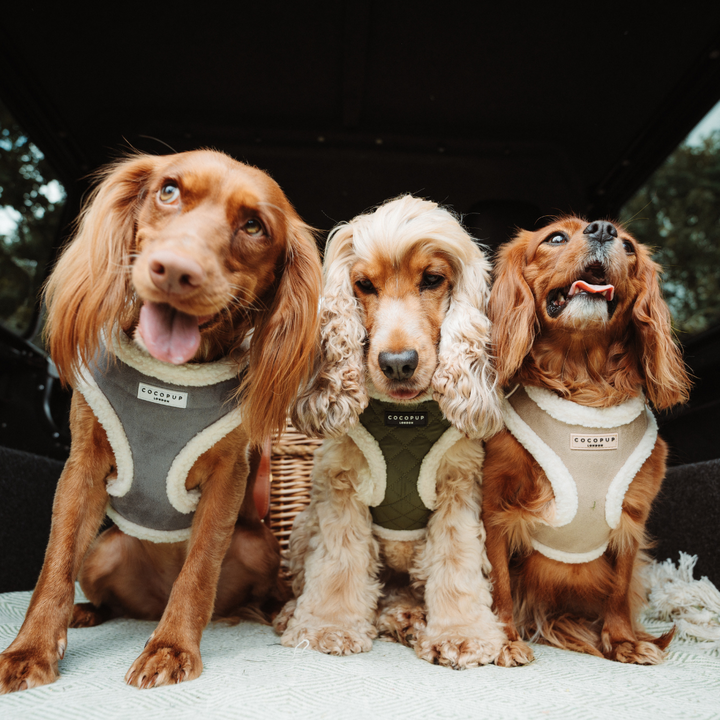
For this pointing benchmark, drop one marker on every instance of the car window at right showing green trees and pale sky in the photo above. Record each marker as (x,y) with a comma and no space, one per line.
(677,212)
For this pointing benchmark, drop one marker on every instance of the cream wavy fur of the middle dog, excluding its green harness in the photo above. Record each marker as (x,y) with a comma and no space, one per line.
(403,321)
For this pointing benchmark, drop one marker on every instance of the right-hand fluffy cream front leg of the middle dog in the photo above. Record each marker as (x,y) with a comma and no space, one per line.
(462,630)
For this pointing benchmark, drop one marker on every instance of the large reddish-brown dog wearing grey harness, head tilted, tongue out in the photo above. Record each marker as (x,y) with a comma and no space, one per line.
(204,263)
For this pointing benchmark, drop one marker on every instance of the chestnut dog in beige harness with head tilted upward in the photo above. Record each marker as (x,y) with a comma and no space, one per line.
(582,333)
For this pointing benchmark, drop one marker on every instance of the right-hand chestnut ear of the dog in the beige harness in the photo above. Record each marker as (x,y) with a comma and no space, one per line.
(666,379)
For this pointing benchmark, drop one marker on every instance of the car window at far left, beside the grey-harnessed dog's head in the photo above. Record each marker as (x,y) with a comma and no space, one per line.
(31,202)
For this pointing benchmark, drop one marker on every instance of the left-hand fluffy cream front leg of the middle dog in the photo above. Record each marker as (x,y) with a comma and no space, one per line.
(336,609)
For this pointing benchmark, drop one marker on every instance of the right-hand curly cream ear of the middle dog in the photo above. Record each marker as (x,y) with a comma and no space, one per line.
(464,382)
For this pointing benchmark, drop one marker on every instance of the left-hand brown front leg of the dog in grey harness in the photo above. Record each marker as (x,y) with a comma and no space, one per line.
(78,509)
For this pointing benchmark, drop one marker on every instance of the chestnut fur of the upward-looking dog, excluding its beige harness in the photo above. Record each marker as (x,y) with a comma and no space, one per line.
(597,353)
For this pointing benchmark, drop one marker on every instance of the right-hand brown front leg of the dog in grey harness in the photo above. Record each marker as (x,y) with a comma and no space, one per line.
(172,654)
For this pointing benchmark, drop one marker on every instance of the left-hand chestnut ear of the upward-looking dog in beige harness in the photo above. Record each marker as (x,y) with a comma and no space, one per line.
(512,310)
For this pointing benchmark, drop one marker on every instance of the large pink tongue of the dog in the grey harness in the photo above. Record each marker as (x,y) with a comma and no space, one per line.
(169,335)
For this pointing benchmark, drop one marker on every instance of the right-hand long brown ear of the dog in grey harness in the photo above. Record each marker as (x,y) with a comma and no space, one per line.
(284,339)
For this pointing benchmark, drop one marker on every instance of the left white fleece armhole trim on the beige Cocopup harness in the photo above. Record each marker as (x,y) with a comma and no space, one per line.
(563,485)
